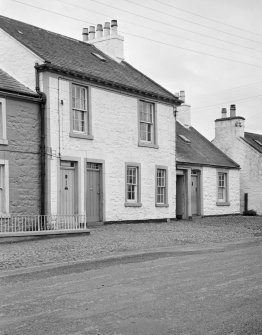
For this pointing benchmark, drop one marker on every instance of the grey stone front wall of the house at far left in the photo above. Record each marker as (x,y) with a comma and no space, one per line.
(22,152)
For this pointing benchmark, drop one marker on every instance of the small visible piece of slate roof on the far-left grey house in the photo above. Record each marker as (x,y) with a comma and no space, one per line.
(9,84)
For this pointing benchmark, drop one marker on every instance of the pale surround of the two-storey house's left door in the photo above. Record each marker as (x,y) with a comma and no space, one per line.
(77,162)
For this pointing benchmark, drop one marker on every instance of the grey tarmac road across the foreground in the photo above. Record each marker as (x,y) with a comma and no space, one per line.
(206,291)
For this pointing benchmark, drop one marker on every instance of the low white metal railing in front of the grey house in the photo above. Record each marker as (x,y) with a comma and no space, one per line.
(27,223)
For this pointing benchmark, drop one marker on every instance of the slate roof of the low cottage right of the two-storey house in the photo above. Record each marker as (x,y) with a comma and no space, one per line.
(200,151)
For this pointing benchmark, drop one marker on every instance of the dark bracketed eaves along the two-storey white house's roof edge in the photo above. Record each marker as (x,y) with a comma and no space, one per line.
(47,66)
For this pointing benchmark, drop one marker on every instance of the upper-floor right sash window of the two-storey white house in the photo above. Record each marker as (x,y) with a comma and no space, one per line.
(150,122)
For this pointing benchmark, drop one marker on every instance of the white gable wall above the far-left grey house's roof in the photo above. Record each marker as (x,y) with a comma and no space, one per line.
(17,60)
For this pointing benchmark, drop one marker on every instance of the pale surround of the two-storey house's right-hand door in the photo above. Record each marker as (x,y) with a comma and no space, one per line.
(102,185)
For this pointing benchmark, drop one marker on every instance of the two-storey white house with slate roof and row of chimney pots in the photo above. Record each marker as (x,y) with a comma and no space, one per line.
(109,130)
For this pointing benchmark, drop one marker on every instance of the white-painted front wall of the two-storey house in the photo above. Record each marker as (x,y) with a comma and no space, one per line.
(115,130)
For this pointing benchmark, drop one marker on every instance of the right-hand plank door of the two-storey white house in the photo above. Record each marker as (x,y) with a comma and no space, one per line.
(93,192)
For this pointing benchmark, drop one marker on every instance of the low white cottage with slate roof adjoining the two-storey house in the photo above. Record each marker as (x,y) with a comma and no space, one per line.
(208,181)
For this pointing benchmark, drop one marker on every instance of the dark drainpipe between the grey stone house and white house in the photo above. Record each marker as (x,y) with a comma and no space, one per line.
(42,139)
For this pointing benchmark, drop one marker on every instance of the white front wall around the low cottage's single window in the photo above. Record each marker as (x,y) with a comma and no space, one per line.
(210,192)
